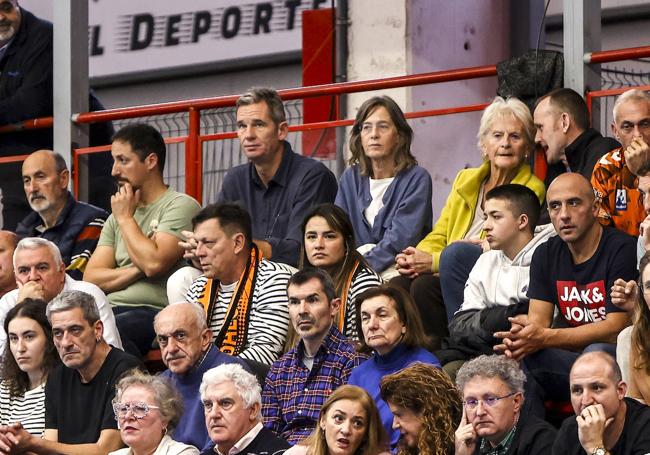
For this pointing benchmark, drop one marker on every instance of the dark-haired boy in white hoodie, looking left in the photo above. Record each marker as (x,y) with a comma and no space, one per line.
(497,285)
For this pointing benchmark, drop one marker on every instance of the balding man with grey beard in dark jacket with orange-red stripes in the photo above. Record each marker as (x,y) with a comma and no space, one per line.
(72,225)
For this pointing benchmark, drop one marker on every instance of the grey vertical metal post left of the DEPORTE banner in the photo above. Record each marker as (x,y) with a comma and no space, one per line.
(71,80)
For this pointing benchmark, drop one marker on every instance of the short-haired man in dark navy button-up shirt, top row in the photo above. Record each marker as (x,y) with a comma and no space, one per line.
(277,186)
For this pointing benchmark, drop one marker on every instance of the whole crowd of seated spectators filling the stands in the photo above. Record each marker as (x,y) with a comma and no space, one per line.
(304,315)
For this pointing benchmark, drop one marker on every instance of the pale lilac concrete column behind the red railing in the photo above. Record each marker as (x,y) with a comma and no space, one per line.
(445,35)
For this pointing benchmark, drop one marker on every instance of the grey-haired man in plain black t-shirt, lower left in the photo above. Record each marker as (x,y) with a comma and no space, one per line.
(78,411)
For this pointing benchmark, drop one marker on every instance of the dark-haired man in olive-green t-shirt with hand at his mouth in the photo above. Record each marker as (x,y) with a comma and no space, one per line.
(138,248)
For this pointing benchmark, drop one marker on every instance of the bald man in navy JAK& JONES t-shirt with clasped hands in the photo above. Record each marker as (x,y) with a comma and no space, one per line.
(572,273)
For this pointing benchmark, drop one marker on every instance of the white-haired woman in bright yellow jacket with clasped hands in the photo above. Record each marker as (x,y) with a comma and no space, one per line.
(506,139)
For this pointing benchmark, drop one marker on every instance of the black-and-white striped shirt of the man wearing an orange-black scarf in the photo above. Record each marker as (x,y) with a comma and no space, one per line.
(269,315)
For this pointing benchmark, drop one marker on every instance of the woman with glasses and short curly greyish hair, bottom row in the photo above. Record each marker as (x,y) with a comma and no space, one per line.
(147,409)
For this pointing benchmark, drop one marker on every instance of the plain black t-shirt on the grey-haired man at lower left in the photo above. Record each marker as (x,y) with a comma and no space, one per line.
(80,411)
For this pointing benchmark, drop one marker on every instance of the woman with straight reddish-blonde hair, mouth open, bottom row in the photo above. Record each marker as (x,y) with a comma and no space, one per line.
(349,424)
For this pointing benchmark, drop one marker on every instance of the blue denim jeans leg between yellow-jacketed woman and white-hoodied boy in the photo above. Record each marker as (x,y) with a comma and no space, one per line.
(456,261)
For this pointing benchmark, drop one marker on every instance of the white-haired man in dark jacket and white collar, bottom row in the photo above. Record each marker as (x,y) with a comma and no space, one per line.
(231,400)
